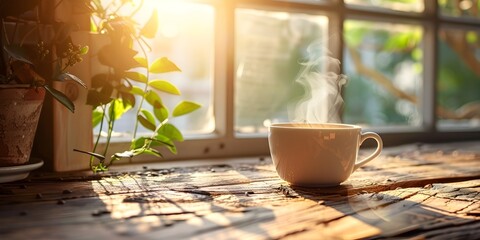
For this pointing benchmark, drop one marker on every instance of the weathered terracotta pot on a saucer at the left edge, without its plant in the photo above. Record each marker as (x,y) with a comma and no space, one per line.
(20,108)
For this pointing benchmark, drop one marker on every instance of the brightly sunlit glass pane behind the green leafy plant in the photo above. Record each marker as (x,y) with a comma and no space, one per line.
(185,35)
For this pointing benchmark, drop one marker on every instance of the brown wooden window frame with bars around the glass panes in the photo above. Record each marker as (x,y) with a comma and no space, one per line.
(224,142)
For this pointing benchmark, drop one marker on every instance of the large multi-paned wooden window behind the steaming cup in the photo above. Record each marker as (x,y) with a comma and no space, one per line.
(412,69)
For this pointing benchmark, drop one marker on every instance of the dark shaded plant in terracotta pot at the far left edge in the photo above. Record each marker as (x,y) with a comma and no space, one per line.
(35,50)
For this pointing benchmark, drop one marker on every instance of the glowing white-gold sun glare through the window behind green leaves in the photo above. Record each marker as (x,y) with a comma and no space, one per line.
(184,34)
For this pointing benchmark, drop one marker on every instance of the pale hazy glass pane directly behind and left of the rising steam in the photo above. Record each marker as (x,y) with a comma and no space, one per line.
(270,47)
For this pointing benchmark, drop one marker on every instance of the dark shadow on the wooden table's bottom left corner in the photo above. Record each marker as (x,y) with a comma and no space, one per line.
(53,207)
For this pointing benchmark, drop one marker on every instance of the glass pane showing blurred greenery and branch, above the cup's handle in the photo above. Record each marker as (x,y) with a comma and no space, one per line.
(383,63)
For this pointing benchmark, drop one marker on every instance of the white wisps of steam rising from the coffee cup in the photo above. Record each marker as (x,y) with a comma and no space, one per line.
(322,101)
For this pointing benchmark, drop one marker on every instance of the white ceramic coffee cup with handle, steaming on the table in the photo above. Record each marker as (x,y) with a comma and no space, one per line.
(318,154)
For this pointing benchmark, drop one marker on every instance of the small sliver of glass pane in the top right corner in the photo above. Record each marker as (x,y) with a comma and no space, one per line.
(460,8)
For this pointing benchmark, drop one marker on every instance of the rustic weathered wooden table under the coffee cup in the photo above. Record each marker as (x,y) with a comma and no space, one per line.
(414,191)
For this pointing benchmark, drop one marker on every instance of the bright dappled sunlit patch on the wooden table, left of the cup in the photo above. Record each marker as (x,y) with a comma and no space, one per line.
(175,207)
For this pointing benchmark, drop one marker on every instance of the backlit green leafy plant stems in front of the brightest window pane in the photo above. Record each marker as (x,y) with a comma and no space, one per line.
(128,84)
